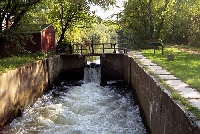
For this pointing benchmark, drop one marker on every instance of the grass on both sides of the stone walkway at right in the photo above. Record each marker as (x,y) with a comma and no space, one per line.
(186,67)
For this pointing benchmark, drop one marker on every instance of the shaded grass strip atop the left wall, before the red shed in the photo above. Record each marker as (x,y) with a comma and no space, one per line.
(14,62)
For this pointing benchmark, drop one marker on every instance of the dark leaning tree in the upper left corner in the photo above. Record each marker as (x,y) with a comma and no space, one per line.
(11,13)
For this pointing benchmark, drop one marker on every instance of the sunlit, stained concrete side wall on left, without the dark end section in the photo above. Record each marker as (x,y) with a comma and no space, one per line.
(21,87)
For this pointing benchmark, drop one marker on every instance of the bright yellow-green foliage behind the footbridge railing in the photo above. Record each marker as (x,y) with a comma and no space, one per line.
(97,32)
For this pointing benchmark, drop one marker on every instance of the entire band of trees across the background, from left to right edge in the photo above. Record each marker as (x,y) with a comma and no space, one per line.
(141,21)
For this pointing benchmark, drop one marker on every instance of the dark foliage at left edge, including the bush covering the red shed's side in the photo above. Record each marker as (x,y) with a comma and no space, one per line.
(11,13)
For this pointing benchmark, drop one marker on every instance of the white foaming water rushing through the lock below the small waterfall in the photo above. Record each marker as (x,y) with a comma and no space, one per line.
(82,107)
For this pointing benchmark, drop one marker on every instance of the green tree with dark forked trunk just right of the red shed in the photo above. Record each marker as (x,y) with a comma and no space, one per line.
(65,14)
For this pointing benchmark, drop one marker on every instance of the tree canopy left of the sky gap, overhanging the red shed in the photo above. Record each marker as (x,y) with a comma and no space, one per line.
(65,15)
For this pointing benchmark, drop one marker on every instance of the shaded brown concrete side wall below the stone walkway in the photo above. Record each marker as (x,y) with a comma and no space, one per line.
(162,114)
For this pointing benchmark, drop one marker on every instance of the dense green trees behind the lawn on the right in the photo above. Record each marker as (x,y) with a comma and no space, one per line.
(167,20)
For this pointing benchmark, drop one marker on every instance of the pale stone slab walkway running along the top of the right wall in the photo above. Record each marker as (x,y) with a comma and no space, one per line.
(191,94)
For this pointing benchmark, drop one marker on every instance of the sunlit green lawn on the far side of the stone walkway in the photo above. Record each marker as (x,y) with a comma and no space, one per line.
(185,66)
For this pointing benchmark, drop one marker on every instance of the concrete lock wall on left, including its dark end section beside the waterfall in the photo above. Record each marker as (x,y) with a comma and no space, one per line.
(20,88)
